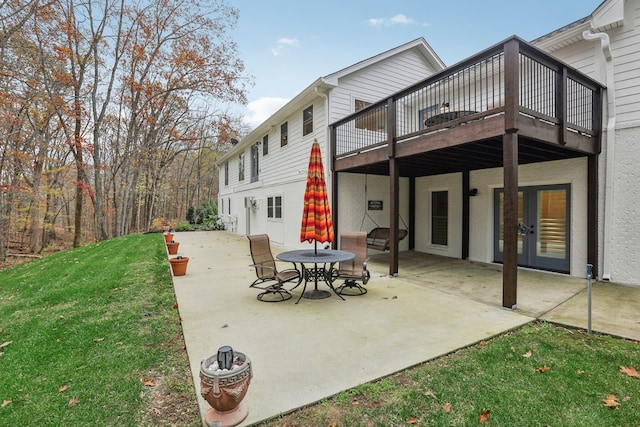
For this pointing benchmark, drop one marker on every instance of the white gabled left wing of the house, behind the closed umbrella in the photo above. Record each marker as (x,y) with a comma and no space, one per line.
(263,177)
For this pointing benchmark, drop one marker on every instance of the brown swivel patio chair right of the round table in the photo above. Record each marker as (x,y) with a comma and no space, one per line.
(355,270)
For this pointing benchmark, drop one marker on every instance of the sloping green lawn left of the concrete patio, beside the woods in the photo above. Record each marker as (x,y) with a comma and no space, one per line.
(82,330)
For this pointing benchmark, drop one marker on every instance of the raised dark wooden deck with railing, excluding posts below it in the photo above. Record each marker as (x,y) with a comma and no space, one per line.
(455,120)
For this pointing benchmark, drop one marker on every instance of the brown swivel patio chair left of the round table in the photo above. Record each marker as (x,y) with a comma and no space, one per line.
(269,279)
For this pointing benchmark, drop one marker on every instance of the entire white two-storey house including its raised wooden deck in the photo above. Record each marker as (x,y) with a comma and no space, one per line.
(523,154)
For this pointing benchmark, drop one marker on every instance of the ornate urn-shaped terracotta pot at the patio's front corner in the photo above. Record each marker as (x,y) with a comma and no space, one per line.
(224,390)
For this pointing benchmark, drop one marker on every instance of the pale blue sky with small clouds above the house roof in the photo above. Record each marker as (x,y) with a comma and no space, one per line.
(287,45)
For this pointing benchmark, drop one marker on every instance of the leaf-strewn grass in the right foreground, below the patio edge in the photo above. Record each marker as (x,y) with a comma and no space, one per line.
(538,375)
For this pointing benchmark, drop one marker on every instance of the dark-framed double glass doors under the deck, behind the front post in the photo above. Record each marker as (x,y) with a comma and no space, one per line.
(543,226)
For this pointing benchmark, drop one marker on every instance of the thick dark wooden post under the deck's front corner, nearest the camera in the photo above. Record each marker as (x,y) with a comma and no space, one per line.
(510,220)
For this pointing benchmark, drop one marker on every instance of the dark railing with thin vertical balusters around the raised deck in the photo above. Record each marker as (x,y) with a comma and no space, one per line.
(476,88)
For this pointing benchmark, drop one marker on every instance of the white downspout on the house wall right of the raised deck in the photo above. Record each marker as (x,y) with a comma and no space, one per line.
(610,149)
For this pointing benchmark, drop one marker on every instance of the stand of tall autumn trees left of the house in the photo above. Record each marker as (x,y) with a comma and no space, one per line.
(126,96)
